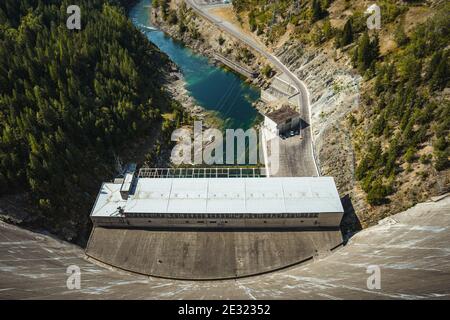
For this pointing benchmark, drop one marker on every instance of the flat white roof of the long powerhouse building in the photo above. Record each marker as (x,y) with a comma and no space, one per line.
(222,195)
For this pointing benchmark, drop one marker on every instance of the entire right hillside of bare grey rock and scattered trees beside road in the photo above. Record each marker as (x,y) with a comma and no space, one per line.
(345,107)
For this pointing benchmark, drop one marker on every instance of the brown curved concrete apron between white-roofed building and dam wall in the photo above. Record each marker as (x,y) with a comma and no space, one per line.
(203,255)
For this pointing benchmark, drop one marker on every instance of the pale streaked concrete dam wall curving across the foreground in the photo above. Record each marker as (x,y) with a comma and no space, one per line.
(410,248)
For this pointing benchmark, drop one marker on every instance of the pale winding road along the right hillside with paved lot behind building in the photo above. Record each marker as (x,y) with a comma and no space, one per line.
(297,157)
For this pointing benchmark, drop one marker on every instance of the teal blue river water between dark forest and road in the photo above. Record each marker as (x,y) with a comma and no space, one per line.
(213,88)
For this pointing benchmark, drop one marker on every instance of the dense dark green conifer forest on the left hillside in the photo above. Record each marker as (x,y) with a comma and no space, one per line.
(70,100)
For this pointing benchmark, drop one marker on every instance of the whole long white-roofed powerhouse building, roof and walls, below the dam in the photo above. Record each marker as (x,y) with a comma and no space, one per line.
(160,198)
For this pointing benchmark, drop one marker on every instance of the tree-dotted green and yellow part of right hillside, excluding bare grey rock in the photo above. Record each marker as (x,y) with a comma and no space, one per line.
(401,129)
